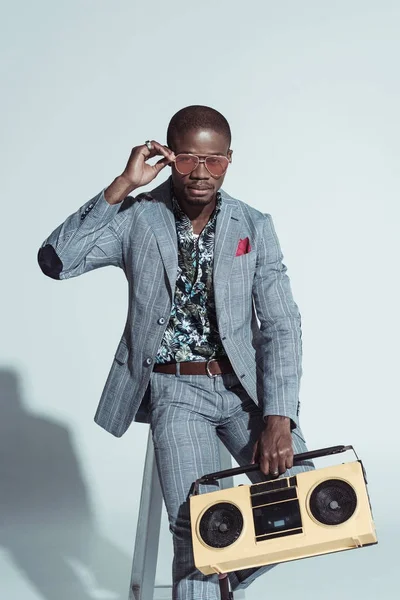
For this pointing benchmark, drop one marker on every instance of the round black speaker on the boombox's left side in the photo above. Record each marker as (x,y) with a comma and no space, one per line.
(221,525)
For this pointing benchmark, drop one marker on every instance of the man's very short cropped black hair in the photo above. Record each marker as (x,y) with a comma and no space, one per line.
(198,117)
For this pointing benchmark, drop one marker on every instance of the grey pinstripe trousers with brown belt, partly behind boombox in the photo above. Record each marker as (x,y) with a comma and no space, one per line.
(187,413)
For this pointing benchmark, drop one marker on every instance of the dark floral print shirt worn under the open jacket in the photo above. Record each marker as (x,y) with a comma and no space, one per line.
(192,332)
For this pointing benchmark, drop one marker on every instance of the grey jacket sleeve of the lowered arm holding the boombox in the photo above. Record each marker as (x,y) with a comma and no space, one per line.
(280,327)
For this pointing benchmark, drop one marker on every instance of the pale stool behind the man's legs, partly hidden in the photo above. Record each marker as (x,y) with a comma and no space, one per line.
(142,586)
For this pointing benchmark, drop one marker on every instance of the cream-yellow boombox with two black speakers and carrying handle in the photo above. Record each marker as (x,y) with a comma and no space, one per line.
(315,512)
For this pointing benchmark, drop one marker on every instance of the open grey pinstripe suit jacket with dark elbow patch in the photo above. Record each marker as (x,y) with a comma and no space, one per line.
(258,320)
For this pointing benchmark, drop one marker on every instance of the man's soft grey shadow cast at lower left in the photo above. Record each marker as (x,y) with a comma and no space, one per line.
(46,524)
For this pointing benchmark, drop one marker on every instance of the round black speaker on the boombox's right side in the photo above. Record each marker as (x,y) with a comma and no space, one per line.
(333,502)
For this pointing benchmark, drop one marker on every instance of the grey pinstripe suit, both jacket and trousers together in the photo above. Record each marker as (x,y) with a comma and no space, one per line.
(259,325)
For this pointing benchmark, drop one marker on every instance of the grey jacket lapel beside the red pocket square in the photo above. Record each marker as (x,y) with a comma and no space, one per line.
(226,240)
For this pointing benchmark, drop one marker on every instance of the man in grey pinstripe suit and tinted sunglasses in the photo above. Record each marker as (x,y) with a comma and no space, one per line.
(212,343)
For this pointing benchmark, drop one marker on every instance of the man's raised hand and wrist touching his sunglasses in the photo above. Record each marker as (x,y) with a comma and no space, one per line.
(137,172)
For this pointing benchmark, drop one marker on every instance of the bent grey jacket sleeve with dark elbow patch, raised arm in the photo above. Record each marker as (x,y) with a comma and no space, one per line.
(88,239)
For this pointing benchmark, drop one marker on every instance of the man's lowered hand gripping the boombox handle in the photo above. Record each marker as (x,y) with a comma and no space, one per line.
(274,449)
